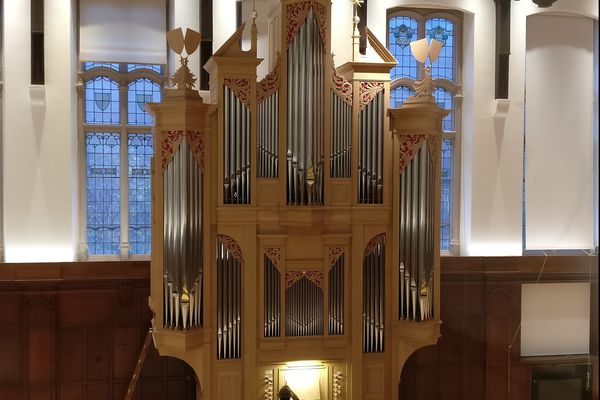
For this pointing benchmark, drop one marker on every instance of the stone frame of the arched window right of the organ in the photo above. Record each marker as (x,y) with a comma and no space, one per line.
(455,88)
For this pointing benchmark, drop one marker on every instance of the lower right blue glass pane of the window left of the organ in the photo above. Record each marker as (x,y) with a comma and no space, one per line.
(139,149)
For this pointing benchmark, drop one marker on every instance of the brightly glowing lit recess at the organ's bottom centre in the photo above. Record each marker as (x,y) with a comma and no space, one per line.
(303,378)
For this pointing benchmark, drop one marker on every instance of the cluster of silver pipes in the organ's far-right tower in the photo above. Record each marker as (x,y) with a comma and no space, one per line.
(417,218)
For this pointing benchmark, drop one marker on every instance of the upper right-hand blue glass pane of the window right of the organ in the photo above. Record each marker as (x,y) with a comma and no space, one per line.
(442,29)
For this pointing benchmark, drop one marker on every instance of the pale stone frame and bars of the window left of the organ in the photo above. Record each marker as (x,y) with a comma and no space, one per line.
(123,79)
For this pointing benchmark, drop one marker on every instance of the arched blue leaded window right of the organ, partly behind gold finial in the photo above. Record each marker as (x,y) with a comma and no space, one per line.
(405,26)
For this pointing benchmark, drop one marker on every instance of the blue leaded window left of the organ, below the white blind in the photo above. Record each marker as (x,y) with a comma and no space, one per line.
(116,146)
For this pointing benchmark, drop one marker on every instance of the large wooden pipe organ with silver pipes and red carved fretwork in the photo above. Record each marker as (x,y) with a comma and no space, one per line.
(295,221)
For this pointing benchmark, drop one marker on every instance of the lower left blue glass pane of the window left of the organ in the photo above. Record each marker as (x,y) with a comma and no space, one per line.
(103,196)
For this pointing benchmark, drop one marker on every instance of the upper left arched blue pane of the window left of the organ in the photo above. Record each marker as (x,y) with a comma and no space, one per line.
(101,101)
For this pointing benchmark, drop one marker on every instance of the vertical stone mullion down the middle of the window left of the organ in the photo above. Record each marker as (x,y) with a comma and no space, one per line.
(124,203)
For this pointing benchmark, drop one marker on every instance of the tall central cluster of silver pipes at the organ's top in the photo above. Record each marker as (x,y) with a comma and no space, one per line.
(305,116)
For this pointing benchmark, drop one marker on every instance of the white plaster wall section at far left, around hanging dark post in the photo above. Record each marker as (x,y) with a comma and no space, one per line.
(40,158)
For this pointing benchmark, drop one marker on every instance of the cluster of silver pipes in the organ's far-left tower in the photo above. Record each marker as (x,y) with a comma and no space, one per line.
(182,239)
